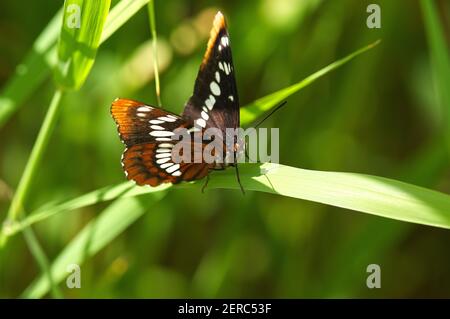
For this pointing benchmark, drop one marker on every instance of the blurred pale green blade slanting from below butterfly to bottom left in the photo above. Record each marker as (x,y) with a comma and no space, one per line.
(95,236)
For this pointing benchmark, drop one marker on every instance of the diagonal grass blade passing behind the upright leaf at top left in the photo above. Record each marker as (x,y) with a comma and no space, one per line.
(42,58)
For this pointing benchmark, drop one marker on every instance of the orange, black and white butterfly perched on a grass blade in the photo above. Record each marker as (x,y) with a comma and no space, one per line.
(147,130)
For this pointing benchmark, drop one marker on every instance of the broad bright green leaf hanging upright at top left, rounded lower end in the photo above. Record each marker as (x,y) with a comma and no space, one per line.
(79,40)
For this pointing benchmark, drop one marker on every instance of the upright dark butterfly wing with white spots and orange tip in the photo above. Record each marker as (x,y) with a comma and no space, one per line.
(215,101)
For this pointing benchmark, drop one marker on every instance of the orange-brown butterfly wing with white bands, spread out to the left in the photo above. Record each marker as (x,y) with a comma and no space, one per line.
(146,131)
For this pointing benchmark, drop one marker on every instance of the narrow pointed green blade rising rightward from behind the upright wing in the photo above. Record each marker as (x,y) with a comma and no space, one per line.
(252,111)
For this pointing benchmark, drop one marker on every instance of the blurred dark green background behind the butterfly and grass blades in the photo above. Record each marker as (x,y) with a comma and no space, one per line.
(377,115)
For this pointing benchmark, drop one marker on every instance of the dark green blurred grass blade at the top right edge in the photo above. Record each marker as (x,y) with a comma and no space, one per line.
(440,59)
